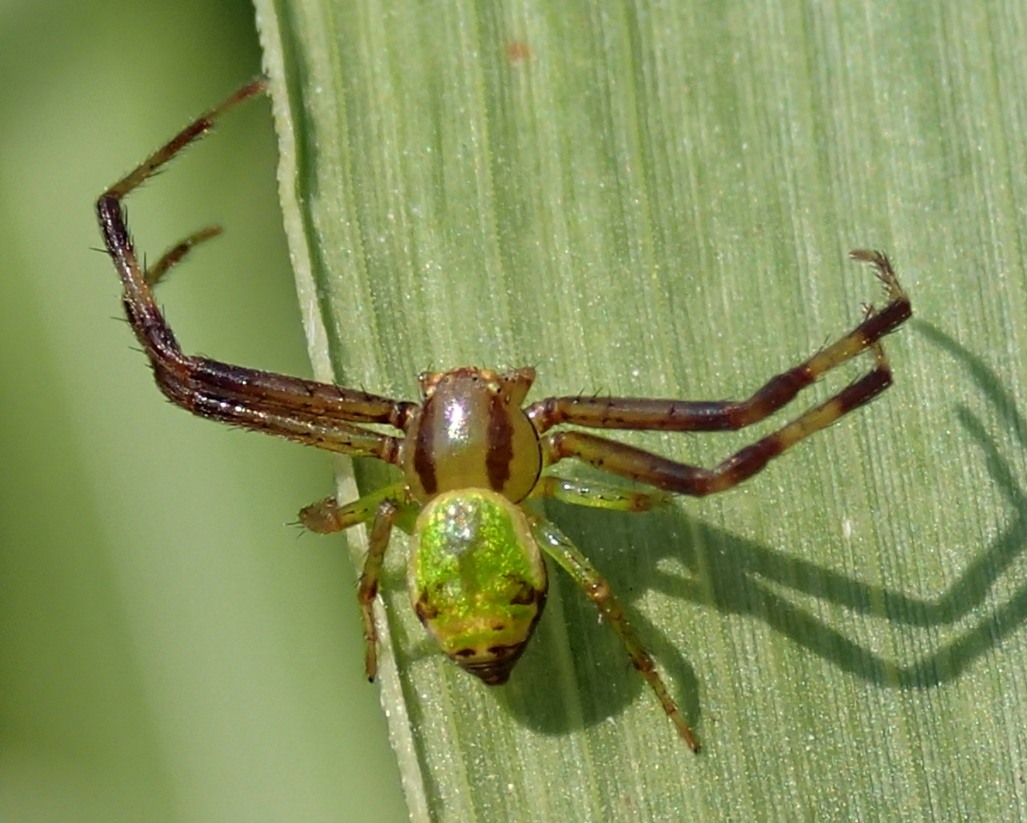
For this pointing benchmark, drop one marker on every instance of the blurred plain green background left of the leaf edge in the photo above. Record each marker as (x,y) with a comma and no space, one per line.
(170,650)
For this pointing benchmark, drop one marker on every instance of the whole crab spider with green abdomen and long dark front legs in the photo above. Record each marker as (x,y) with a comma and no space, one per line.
(472,455)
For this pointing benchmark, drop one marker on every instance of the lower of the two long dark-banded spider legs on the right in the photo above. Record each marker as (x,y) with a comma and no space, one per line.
(683,479)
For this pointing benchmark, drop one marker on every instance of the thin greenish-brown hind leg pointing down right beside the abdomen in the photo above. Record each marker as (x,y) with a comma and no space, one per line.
(568,557)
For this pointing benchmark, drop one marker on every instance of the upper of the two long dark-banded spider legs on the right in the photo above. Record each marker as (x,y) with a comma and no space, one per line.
(680,416)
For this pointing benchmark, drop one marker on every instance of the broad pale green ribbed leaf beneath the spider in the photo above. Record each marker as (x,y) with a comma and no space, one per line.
(659,200)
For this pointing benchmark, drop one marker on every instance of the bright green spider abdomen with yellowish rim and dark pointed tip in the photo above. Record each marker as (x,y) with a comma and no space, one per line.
(477,580)
